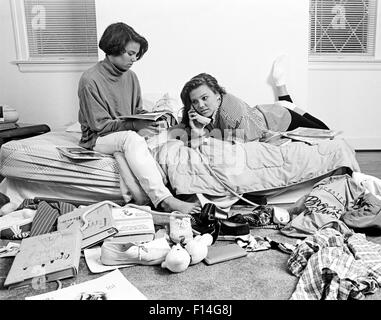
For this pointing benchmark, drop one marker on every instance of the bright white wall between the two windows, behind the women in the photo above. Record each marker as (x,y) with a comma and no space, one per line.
(236,41)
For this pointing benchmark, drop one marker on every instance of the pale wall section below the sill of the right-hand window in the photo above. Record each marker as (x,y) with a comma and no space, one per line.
(348,99)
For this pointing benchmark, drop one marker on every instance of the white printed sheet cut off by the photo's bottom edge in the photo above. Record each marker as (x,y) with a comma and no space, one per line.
(112,286)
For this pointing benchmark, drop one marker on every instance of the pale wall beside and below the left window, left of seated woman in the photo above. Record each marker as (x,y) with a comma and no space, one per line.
(49,98)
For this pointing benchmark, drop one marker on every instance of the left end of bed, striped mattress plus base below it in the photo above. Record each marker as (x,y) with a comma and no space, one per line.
(34,167)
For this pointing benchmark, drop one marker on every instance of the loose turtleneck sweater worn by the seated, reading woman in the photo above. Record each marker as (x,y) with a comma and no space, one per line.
(106,92)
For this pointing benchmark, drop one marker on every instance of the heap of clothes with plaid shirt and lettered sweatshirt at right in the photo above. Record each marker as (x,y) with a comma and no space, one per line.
(335,261)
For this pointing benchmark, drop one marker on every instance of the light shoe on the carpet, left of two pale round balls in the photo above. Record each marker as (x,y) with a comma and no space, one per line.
(149,253)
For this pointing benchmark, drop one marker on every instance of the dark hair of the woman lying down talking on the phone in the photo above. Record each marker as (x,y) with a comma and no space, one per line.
(195,82)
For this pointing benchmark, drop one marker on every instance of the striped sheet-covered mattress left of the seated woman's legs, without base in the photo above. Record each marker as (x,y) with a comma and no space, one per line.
(37,159)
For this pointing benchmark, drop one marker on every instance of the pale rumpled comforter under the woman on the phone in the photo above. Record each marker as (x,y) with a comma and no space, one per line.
(249,167)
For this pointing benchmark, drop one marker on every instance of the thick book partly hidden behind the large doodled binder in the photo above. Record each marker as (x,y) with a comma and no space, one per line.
(96,222)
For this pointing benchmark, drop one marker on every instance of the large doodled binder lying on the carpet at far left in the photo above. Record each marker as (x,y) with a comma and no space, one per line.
(47,257)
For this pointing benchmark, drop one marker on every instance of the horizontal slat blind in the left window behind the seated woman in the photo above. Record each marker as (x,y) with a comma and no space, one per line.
(61,29)
